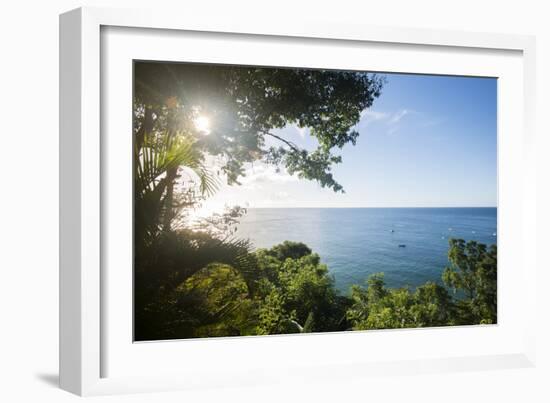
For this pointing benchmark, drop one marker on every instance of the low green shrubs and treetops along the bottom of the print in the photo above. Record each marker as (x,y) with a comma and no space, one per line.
(286,289)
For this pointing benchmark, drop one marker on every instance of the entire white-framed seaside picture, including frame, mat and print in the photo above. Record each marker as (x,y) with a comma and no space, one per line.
(236,199)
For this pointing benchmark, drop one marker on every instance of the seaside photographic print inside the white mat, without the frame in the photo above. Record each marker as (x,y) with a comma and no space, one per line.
(242,225)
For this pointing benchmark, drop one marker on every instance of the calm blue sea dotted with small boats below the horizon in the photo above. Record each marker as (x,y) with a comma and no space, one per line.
(356,242)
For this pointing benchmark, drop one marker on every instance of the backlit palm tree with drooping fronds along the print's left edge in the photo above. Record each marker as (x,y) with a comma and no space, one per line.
(167,255)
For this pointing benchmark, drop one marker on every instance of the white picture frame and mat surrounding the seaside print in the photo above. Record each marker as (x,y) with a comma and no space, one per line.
(91,346)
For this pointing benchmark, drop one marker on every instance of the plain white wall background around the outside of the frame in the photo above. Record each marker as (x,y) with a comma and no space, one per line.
(29,201)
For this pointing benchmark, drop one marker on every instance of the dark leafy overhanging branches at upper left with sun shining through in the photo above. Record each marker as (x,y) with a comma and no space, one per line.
(245,104)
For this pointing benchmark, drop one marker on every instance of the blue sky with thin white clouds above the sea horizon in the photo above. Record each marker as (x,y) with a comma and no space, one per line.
(428,141)
